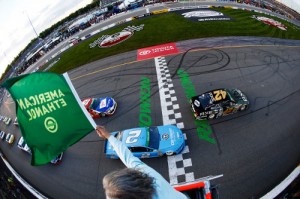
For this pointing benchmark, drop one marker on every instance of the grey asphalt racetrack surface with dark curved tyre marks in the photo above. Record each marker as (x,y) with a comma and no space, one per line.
(254,150)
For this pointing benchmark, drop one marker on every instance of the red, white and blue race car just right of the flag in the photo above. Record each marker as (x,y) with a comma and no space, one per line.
(100,107)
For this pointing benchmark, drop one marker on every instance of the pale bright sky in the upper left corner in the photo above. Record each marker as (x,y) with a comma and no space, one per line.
(15,29)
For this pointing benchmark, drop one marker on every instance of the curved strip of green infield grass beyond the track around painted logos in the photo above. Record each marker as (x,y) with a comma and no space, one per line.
(172,27)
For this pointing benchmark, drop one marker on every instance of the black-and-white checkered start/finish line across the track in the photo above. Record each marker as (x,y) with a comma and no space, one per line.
(178,164)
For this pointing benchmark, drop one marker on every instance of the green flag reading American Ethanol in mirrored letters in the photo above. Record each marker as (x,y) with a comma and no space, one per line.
(50,114)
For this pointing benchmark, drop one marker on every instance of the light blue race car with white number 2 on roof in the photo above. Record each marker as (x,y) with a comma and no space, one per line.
(149,142)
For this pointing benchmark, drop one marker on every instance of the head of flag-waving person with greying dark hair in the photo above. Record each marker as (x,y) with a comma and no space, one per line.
(128,184)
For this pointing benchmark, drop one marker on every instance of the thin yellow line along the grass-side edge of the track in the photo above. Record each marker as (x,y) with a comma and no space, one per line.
(200,49)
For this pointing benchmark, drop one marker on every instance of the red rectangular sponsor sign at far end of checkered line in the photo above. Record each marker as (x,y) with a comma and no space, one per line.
(156,51)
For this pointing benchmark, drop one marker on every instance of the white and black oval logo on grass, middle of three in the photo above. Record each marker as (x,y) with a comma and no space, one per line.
(203,15)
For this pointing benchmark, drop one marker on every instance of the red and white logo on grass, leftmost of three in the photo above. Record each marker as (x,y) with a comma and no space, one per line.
(110,40)
